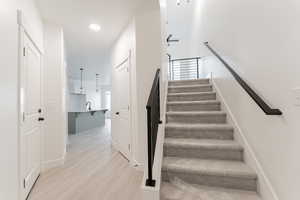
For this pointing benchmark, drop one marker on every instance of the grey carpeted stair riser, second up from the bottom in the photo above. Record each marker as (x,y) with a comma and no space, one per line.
(202,153)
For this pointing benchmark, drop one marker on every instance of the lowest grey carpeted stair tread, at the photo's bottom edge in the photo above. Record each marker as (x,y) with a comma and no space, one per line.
(180,191)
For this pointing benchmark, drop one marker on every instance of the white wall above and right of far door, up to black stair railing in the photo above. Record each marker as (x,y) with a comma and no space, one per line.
(143,38)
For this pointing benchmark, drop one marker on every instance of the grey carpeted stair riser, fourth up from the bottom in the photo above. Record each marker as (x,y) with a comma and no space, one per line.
(195,119)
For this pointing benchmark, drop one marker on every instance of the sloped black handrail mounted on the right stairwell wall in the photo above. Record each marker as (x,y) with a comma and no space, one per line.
(260,102)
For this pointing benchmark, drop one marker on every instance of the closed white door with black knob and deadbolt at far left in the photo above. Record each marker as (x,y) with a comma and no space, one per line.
(31,115)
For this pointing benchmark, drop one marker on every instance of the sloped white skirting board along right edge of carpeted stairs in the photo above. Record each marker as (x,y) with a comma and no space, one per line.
(265,187)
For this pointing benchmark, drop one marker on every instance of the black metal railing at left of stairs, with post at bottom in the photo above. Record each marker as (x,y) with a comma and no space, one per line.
(153,121)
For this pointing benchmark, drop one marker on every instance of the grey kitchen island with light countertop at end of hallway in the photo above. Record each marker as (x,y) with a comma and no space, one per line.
(80,121)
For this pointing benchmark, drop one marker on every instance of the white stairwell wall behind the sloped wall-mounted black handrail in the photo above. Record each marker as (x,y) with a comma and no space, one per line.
(260,39)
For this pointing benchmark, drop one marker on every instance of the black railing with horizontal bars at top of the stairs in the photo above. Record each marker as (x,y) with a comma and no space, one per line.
(184,68)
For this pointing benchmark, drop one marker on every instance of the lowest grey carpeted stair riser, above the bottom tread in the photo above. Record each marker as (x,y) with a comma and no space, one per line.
(213,180)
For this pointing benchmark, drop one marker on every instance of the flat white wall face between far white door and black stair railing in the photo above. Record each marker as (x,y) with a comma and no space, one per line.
(148,54)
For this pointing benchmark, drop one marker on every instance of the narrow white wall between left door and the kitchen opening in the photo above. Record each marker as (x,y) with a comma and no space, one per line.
(55,130)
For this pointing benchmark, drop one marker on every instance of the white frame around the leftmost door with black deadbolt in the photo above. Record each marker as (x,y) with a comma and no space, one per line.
(24,30)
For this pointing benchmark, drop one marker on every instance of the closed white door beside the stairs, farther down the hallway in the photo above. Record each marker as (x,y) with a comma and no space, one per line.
(121,108)
